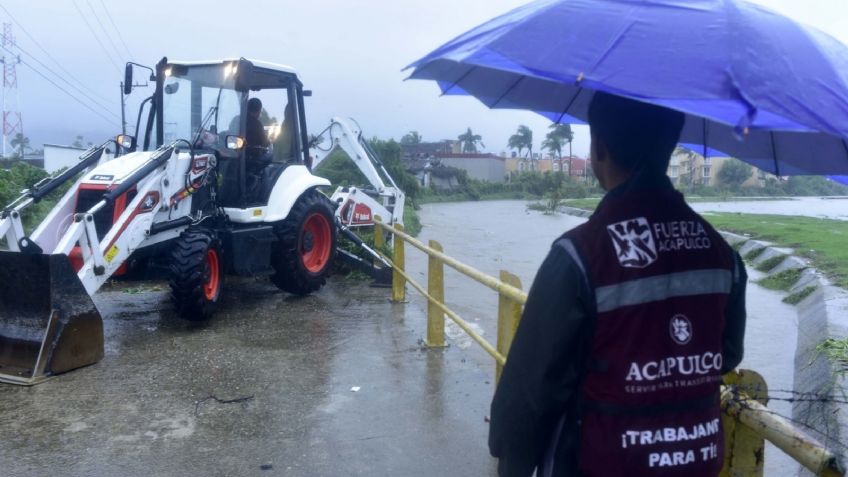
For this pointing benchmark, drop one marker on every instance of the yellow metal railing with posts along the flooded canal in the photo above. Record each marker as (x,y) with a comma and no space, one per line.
(747,421)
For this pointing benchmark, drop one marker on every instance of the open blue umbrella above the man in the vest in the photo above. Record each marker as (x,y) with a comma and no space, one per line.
(753,84)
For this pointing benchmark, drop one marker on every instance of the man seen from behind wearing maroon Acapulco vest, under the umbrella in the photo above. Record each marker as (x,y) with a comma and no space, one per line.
(631,321)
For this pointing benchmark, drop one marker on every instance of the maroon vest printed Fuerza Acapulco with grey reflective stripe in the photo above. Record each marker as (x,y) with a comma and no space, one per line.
(649,398)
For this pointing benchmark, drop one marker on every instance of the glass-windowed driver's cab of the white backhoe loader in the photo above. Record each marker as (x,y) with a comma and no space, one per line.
(248,114)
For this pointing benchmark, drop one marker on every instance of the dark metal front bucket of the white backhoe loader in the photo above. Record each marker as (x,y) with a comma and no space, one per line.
(48,323)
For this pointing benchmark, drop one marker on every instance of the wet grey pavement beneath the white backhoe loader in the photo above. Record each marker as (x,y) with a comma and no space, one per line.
(153,405)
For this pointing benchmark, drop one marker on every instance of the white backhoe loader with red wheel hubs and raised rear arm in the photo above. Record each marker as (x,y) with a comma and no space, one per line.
(214,188)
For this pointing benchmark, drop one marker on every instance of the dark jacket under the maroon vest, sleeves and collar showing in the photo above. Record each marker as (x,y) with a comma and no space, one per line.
(542,377)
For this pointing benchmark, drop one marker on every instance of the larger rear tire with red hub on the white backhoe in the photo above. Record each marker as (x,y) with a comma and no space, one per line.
(306,245)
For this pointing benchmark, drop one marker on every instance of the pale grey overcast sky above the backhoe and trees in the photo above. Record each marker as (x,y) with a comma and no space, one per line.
(349,53)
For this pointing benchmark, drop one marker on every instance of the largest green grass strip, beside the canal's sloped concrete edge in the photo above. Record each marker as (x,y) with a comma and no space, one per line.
(823,241)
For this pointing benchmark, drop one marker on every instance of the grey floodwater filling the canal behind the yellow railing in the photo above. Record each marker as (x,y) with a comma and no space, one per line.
(504,235)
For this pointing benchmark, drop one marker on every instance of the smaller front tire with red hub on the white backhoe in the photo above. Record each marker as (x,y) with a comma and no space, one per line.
(197,273)
